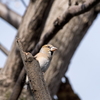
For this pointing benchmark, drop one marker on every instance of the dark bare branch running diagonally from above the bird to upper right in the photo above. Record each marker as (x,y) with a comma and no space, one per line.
(61,21)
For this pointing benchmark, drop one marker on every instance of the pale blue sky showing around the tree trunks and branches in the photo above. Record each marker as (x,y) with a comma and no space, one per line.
(84,69)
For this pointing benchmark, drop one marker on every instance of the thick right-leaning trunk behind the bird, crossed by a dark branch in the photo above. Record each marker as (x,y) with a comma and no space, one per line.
(67,40)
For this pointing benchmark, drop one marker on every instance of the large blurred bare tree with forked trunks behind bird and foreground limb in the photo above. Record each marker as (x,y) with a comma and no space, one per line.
(64,25)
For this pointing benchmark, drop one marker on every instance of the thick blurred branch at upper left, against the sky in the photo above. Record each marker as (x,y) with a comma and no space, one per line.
(10,16)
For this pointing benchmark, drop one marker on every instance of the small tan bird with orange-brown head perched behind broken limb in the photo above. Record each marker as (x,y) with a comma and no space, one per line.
(44,58)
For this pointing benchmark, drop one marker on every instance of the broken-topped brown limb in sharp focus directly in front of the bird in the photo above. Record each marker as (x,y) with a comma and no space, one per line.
(35,75)
